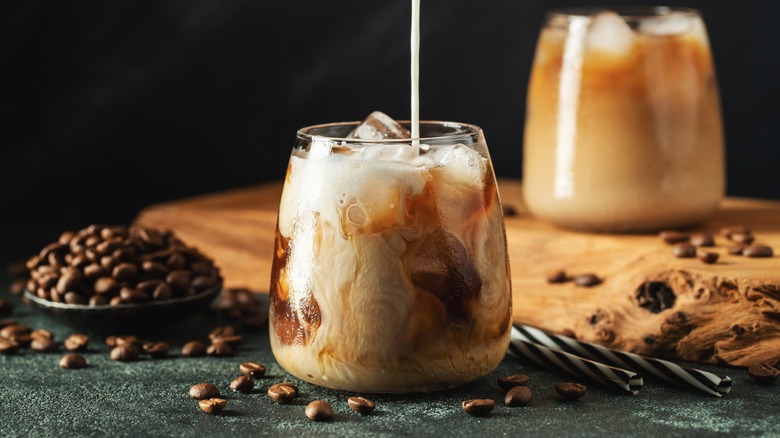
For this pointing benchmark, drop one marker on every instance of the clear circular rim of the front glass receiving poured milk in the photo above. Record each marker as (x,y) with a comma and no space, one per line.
(471,131)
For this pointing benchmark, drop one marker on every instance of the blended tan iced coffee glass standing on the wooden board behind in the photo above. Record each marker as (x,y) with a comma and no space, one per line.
(623,128)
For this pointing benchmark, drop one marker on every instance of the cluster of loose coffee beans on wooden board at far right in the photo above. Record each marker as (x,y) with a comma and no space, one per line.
(689,245)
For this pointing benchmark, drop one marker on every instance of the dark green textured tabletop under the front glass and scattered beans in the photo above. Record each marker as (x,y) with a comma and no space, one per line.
(149,398)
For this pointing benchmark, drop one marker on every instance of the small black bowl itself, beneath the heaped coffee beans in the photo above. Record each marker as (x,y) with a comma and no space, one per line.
(127,318)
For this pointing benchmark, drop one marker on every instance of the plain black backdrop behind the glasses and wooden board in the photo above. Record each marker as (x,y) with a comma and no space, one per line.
(111,106)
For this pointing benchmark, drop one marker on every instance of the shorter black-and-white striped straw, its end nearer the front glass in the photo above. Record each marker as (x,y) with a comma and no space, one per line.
(614,377)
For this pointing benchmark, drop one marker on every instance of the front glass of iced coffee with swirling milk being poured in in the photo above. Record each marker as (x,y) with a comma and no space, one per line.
(390,270)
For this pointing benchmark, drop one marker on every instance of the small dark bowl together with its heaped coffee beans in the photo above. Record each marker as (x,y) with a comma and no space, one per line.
(108,278)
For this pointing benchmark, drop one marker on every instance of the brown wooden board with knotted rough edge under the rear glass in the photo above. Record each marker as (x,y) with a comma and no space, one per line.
(728,312)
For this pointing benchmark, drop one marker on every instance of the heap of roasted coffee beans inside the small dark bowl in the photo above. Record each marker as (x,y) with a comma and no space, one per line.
(113,265)
